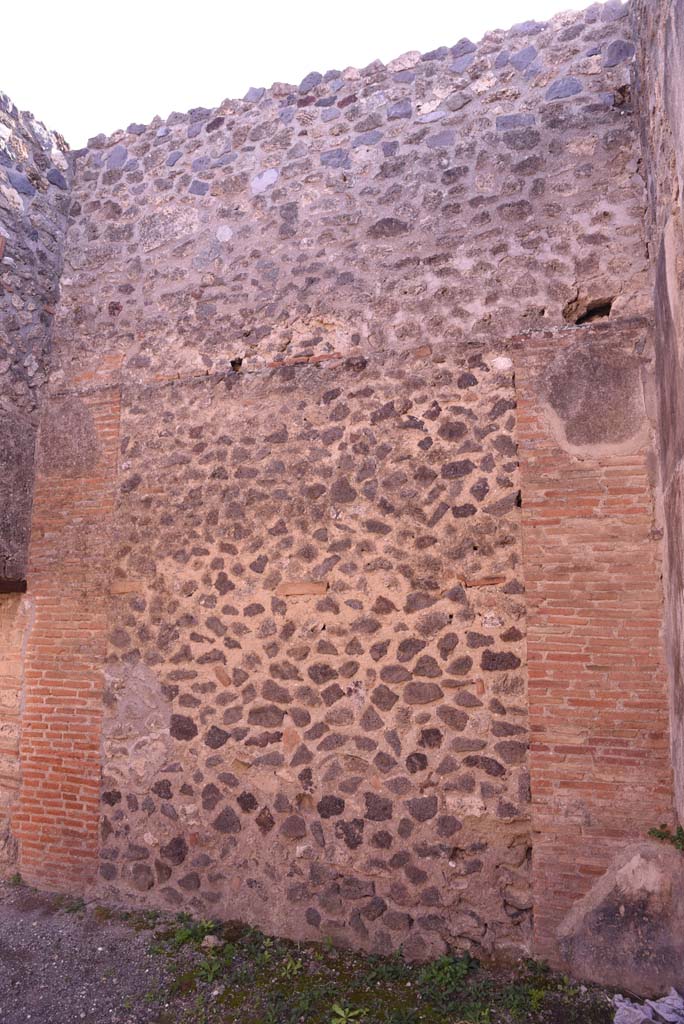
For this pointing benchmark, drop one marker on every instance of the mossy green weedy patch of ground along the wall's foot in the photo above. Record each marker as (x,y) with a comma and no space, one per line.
(251,978)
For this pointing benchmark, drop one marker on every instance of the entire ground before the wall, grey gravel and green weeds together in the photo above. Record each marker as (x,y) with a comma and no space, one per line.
(63,962)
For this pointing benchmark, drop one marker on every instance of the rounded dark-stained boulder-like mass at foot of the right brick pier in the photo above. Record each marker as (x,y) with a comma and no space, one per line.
(628,932)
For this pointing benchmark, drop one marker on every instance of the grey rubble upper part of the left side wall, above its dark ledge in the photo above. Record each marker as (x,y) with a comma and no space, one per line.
(34,202)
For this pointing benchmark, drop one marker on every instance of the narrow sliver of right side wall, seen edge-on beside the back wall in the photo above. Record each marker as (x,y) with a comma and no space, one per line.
(660,29)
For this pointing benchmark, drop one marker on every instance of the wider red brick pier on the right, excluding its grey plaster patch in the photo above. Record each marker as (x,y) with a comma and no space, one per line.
(600,757)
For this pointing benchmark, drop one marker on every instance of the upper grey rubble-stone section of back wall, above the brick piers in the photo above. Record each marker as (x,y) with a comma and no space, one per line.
(473,192)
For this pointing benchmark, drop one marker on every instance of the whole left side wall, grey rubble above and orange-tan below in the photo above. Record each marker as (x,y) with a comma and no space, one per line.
(33,220)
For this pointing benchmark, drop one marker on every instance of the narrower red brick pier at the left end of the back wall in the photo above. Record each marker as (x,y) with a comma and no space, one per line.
(57,819)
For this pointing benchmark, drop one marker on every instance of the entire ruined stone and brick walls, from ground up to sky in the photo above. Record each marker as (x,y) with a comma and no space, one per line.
(344,587)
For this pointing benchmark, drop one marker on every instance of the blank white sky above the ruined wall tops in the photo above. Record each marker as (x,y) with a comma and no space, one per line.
(85,67)
